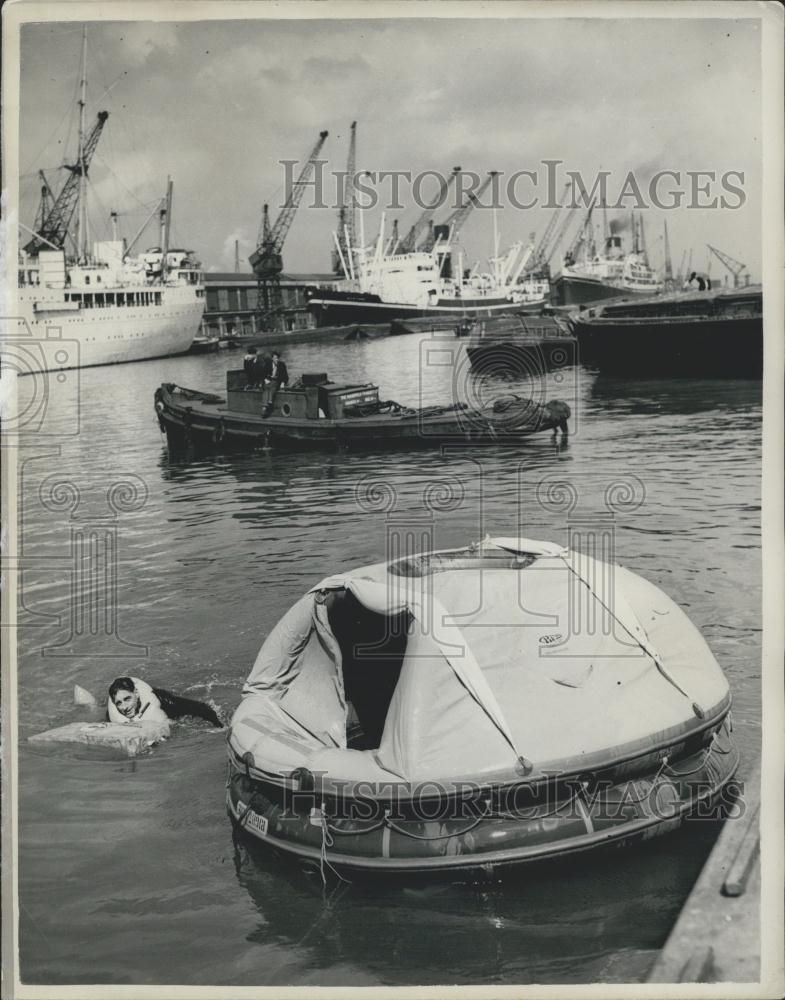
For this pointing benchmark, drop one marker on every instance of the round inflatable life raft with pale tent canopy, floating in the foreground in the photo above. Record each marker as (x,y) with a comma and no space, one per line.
(467,709)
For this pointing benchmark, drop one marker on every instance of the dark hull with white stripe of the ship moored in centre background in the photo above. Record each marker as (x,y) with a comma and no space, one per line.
(337,309)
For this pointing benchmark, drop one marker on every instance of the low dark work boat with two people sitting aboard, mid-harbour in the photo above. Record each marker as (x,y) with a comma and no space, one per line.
(315,412)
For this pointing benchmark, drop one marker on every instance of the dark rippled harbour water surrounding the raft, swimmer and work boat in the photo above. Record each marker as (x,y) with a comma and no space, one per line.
(128,870)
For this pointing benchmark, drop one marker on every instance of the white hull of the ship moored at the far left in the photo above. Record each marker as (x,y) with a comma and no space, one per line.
(51,338)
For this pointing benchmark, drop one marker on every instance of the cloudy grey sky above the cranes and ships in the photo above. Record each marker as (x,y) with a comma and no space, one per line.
(218,104)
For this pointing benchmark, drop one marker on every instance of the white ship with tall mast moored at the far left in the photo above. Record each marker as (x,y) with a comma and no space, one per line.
(98,305)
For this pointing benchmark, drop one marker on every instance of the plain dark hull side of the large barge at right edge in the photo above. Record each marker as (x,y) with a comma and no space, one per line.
(720,347)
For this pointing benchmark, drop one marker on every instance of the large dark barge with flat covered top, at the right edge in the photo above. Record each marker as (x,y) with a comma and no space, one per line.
(708,334)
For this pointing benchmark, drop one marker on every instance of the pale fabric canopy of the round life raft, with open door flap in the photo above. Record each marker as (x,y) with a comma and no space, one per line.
(516,657)
